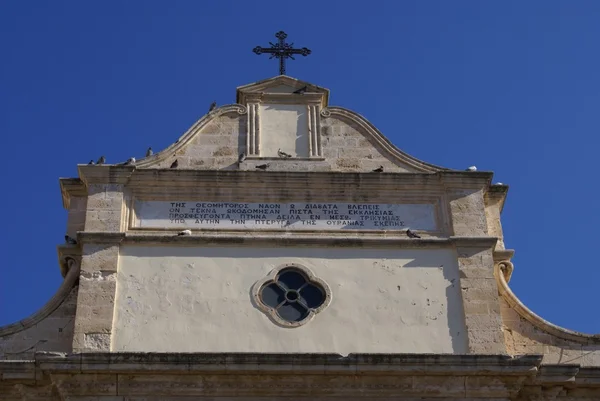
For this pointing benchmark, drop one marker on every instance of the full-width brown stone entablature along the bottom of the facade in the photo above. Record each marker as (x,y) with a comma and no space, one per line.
(117,376)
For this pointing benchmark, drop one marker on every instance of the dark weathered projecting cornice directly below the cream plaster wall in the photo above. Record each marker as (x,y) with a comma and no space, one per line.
(369,364)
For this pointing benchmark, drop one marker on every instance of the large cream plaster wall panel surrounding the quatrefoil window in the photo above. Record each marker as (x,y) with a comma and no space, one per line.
(184,299)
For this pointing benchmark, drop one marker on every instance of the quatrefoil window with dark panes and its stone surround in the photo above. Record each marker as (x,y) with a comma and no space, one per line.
(291,295)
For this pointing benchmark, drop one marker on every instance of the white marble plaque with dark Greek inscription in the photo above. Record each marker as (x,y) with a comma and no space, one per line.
(293,216)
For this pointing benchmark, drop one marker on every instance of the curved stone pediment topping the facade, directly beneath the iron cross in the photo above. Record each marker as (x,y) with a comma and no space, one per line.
(284,124)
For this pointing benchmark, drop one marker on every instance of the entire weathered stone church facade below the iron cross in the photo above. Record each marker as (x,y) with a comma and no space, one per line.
(285,248)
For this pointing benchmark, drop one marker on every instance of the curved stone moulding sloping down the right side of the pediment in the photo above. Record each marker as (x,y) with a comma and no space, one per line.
(394,152)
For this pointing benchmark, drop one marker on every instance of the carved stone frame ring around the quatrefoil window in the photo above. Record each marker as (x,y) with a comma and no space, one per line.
(272,278)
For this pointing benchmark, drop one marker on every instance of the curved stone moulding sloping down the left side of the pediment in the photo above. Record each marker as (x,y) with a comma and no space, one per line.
(187,137)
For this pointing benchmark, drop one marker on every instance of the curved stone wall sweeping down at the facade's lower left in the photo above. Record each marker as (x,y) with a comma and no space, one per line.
(53,332)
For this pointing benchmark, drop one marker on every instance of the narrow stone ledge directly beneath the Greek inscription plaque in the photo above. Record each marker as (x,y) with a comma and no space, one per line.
(284,238)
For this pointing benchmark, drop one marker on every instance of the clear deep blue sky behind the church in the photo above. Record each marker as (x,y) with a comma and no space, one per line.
(510,86)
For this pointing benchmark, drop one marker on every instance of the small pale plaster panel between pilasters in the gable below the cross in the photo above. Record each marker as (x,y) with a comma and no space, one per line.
(285,127)
